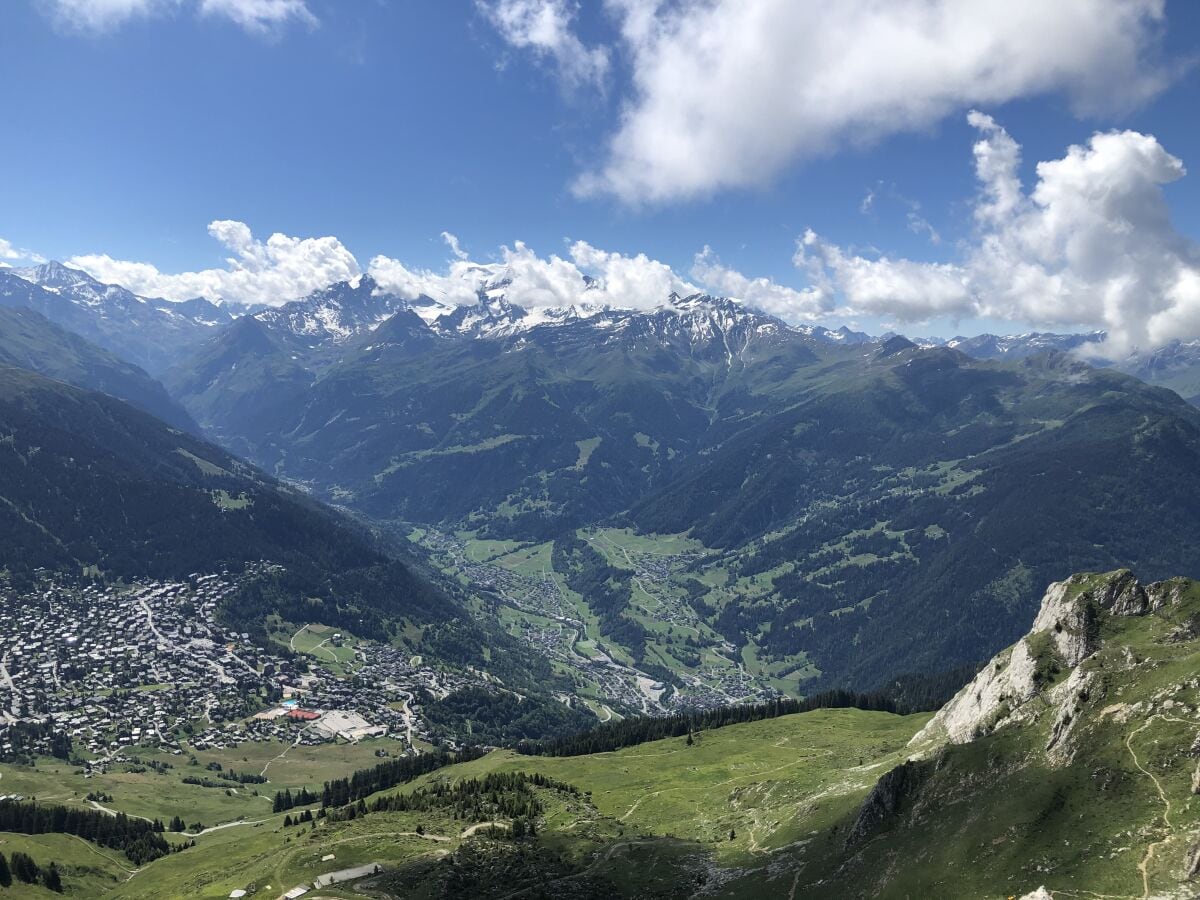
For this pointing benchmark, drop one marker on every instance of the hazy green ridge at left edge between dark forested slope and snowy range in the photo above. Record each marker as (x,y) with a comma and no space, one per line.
(31,341)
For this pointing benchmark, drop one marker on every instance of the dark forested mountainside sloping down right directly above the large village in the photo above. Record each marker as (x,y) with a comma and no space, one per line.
(88,483)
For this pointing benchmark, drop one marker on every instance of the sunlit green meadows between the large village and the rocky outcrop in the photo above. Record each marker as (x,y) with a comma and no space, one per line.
(771,783)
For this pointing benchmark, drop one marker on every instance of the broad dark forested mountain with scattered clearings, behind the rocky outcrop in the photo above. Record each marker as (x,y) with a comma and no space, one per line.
(898,519)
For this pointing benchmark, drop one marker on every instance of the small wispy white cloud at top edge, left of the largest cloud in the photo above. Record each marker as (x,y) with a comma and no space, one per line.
(544,29)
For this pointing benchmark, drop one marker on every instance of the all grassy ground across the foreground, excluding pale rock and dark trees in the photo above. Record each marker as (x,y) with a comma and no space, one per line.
(764,809)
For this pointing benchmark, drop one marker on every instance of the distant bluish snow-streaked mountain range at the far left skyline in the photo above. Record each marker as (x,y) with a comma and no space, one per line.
(148,332)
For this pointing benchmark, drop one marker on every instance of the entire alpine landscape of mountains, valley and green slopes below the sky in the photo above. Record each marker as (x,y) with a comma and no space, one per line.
(369,596)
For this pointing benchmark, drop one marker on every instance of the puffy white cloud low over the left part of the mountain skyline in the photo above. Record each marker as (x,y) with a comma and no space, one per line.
(272,272)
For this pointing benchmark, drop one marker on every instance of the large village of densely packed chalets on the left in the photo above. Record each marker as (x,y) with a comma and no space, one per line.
(103,669)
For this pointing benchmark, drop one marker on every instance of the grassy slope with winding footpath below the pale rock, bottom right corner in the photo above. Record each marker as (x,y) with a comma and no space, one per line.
(1001,818)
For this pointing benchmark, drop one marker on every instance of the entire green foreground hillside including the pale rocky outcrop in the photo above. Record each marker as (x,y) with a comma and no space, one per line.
(1069,764)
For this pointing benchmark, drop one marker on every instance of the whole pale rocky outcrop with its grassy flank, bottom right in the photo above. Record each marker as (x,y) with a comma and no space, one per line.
(1071,761)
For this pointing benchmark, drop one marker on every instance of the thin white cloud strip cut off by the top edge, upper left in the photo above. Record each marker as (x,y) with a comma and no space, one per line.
(262,17)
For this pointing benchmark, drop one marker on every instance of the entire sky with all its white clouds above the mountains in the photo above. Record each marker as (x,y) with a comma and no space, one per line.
(932,166)
